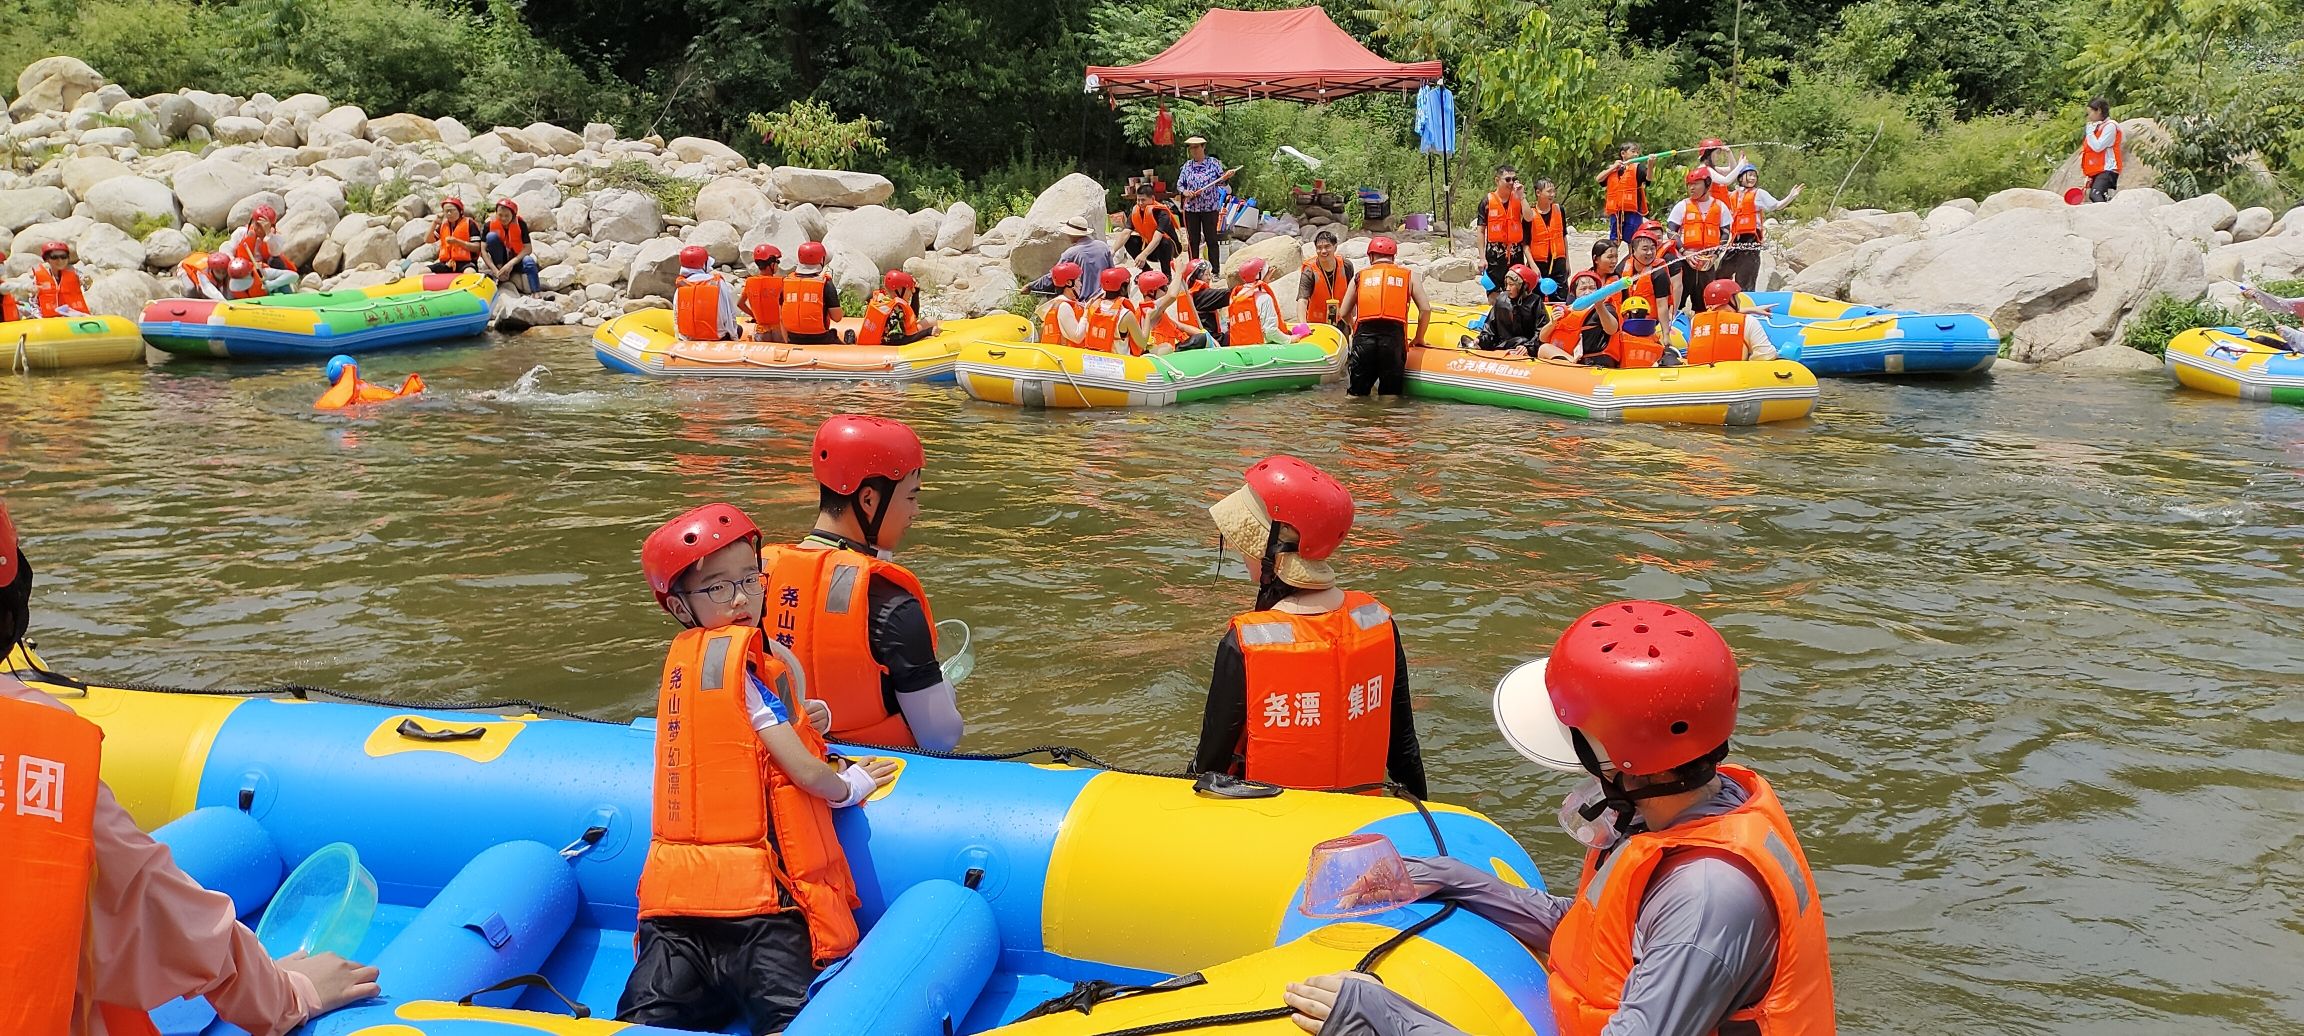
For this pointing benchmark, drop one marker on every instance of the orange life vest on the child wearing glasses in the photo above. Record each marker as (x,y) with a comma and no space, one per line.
(732,828)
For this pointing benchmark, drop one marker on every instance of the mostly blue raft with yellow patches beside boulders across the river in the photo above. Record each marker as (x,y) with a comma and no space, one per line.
(1842,340)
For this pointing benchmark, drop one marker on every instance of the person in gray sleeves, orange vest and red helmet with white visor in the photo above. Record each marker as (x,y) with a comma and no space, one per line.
(1697,911)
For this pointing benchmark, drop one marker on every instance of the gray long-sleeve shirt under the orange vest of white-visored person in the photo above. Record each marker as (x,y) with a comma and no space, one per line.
(1706,943)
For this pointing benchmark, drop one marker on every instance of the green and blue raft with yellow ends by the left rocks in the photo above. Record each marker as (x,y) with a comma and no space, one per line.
(319,326)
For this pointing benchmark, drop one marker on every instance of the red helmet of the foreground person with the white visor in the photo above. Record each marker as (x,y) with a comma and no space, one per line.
(1646,683)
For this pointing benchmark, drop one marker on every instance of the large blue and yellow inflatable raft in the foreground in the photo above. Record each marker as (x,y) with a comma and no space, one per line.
(508,851)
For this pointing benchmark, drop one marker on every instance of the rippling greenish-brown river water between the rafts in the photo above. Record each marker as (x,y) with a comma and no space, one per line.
(2019,655)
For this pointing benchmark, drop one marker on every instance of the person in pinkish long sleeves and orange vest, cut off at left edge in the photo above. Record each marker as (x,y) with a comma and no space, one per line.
(103,924)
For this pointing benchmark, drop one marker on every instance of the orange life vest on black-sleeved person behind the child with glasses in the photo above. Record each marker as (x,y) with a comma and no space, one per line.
(819,607)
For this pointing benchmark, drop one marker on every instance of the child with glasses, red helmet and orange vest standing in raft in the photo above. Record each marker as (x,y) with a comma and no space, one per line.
(745,894)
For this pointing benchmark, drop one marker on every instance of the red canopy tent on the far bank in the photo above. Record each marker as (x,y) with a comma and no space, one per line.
(1289,56)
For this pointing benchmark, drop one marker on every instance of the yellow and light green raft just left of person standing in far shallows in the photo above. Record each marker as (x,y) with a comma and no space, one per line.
(1061,376)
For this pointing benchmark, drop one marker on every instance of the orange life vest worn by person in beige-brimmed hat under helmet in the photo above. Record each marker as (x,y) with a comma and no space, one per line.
(1319,696)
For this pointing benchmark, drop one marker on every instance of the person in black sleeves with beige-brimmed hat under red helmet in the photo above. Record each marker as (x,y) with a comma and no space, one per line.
(1312,685)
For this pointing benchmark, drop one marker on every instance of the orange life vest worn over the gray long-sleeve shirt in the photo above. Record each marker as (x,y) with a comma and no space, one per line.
(1593,945)
